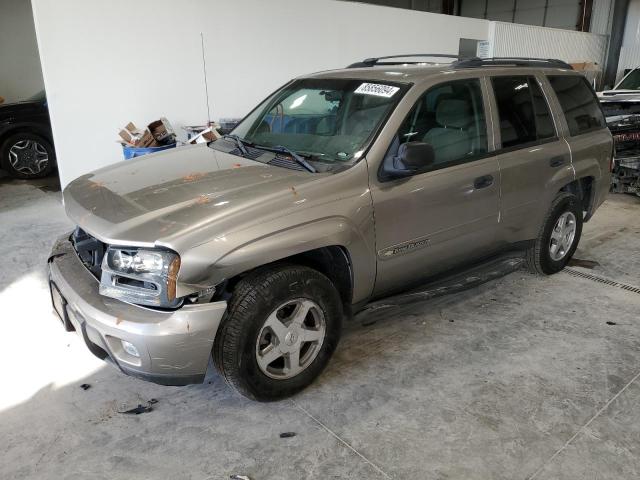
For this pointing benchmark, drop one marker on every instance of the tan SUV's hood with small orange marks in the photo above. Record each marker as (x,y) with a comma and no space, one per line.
(154,199)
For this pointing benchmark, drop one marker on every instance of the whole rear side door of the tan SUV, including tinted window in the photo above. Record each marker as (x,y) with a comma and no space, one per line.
(534,162)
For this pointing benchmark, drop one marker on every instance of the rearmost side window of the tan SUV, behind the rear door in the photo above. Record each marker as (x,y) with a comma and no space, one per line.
(579,103)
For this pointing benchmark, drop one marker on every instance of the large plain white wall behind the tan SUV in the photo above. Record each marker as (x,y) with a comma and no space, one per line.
(106,63)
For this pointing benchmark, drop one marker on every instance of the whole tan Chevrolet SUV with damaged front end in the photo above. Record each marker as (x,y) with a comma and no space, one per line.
(340,188)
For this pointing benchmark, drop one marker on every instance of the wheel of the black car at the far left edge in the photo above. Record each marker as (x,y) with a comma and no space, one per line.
(35,147)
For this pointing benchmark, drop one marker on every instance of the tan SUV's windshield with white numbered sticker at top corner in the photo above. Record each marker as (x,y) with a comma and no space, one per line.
(330,120)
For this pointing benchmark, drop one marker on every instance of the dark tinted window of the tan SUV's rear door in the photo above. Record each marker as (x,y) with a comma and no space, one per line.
(523,111)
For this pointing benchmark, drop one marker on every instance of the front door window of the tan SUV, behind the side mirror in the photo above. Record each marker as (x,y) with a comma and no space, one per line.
(450,117)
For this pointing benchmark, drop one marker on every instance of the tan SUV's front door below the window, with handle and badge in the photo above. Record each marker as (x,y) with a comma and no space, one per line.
(434,221)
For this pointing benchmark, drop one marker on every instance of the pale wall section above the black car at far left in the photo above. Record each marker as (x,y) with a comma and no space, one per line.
(20,73)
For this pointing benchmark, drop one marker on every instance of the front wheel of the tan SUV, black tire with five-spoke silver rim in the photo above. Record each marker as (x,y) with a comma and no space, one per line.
(250,328)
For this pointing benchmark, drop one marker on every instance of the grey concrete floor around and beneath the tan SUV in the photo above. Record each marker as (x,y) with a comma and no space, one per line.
(520,378)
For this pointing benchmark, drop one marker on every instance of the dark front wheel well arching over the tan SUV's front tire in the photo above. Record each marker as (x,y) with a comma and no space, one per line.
(333,261)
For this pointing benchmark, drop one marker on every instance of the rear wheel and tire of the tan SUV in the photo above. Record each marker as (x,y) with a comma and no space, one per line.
(542,258)
